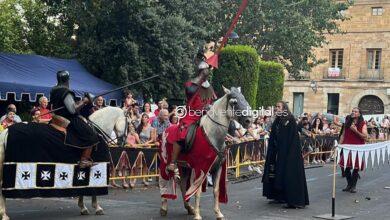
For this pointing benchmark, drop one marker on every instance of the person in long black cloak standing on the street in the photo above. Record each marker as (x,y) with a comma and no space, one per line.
(284,179)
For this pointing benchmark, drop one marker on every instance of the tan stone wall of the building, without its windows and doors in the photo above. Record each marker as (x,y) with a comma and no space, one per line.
(363,31)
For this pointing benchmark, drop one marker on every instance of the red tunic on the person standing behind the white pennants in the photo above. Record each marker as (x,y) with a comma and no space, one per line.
(351,137)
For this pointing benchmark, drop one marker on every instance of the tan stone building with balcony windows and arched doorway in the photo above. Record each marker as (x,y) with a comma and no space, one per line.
(357,71)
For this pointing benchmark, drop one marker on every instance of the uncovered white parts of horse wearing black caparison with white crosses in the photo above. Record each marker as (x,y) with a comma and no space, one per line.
(108,119)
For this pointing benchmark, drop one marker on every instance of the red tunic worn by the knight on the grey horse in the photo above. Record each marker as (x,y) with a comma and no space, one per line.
(196,103)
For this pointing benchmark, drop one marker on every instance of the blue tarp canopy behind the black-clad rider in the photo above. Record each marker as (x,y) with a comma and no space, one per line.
(35,75)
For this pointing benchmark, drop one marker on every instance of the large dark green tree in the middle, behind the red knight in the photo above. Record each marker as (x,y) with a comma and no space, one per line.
(123,41)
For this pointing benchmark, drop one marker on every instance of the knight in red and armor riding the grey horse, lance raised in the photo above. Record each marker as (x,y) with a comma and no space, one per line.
(200,95)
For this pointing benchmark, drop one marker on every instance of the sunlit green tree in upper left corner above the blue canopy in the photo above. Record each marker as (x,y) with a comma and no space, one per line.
(27,27)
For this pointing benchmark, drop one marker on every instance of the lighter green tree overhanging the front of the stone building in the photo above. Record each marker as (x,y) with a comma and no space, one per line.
(286,31)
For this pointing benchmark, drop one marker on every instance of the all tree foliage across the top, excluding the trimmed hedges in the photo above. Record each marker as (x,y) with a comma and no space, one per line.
(126,40)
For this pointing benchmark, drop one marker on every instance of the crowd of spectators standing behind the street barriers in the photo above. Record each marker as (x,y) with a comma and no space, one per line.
(149,121)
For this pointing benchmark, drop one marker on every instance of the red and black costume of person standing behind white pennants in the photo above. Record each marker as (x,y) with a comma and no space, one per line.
(348,136)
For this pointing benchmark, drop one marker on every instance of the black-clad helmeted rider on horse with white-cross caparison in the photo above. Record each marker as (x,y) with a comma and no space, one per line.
(78,133)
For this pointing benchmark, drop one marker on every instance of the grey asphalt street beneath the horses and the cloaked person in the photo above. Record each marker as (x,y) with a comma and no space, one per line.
(245,201)
